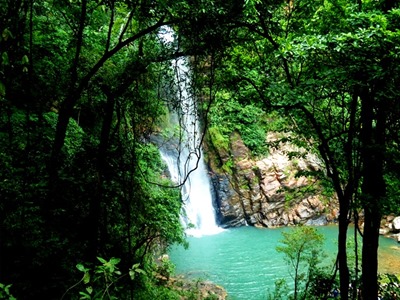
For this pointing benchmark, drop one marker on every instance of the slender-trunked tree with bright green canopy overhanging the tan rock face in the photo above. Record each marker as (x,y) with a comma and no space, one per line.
(284,65)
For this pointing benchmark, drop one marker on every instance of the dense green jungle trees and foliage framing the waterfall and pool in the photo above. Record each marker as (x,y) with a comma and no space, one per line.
(84,84)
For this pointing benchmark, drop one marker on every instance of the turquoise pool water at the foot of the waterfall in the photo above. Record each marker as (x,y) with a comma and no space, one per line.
(244,260)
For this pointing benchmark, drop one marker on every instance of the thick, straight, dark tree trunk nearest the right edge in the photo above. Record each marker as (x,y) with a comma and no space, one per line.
(373,189)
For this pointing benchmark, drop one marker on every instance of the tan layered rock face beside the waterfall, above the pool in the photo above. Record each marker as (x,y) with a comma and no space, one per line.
(267,192)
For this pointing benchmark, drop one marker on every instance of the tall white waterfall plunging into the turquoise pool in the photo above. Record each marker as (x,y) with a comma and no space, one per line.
(185,159)
